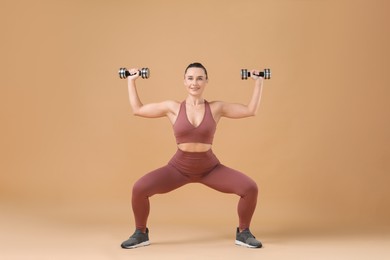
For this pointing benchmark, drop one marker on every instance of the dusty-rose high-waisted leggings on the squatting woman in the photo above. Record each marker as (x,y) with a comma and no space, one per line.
(194,167)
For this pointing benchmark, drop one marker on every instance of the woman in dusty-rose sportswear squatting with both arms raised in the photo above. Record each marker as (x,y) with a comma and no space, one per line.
(194,123)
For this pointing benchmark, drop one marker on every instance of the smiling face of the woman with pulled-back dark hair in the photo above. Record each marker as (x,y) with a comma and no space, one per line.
(195,81)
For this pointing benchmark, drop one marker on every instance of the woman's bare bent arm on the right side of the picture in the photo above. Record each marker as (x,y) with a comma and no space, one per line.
(233,110)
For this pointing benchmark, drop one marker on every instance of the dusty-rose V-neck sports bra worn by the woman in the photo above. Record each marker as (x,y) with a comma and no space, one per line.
(185,132)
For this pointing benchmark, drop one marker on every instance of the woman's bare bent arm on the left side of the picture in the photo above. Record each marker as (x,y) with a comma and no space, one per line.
(152,110)
